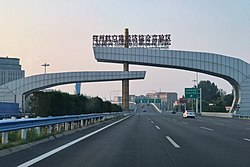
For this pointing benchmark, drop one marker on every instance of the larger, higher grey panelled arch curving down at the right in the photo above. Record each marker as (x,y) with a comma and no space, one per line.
(233,70)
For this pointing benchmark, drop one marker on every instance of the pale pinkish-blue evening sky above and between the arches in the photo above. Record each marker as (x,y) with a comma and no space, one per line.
(60,32)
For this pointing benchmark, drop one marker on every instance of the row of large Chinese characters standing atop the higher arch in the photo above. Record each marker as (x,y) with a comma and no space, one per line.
(162,41)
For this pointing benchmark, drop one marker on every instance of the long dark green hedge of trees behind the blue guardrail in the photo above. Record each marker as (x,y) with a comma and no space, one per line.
(56,103)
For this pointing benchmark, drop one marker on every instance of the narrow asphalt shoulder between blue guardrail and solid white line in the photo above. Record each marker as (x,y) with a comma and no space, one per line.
(25,155)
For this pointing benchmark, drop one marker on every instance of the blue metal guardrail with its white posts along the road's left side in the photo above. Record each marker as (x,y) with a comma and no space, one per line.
(59,122)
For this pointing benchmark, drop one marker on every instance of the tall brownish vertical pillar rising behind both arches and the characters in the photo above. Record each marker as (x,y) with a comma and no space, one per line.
(125,83)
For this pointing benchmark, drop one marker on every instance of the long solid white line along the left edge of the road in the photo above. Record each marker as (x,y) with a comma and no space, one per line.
(46,155)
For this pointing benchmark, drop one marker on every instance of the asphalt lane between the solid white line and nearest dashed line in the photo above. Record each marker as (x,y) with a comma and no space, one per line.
(133,142)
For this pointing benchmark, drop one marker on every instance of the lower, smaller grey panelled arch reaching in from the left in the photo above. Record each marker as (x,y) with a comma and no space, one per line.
(17,90)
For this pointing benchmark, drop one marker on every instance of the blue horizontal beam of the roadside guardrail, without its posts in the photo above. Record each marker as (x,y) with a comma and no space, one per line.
(17,124)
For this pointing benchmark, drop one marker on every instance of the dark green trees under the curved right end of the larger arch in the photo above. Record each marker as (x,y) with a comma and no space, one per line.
(214,99)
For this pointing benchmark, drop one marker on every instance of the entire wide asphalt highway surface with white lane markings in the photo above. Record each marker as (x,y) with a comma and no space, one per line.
(146,139)
